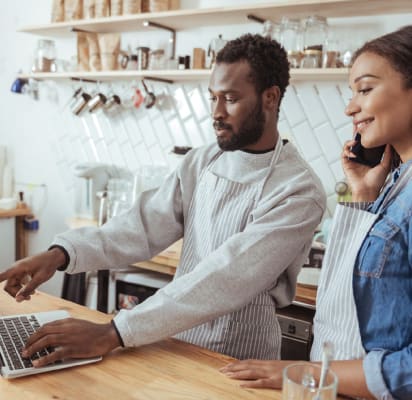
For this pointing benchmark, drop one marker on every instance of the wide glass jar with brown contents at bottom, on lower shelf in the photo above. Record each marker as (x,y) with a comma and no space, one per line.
(315,34)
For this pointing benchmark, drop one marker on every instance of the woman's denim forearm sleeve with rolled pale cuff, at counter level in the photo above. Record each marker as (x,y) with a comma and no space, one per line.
(388,374)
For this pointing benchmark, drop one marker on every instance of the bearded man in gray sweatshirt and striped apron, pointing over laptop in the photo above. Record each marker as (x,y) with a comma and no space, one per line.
(247,208)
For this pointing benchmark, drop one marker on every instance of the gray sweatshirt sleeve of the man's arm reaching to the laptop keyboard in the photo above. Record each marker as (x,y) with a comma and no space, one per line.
(268,254)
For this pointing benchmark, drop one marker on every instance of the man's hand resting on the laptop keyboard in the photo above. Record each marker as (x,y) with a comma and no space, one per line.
(71,338)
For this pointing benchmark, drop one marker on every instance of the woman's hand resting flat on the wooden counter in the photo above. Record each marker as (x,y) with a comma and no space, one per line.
(257,373)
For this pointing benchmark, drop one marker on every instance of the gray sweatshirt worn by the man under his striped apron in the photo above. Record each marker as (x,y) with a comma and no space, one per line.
(266,256)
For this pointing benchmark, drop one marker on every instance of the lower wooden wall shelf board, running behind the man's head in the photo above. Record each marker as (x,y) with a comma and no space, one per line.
(327,74)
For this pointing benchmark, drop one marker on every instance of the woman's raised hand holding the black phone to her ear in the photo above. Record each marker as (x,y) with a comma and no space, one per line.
(365,182)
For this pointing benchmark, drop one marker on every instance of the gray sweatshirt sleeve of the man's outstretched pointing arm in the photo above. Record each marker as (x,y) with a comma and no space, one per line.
(153,223)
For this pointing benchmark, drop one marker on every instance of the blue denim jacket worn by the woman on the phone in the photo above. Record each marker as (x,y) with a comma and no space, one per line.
(382,286)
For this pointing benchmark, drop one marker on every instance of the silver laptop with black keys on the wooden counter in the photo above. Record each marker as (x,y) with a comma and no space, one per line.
(14,331)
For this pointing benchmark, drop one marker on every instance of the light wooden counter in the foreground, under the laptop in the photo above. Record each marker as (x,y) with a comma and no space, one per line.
(168,370)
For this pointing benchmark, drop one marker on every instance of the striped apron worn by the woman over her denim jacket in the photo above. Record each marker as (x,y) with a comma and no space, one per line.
(336,317)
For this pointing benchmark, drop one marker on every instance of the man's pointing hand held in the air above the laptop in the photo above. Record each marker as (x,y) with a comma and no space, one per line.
(24,276)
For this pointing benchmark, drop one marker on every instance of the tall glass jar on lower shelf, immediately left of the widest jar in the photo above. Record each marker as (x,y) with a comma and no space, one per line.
(291,40)
